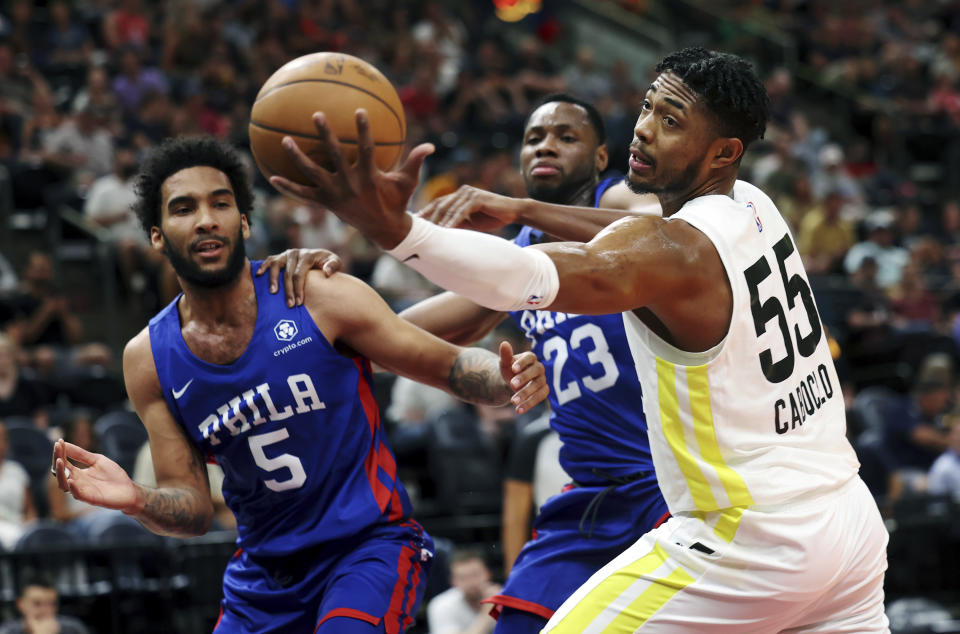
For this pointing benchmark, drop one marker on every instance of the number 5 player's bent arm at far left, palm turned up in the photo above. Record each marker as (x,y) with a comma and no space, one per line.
(180,505)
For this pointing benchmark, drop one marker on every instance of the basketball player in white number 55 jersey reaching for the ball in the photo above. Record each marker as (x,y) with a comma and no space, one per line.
(772,528)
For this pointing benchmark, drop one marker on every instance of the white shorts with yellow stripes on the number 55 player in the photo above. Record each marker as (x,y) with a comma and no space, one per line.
(815,565)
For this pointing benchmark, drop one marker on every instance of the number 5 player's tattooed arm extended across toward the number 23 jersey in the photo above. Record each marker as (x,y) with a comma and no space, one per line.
(351,313)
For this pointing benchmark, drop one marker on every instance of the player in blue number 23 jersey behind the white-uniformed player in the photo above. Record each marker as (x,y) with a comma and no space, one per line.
(594,394)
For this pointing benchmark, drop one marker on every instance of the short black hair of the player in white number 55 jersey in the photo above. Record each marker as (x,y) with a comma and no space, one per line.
(729,87)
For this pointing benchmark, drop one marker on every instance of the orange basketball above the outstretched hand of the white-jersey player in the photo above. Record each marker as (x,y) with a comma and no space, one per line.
(335,84)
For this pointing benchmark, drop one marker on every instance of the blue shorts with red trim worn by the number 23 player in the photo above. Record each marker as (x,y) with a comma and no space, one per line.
(575,534)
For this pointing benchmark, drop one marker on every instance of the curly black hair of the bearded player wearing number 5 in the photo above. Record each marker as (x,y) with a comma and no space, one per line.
(177,154)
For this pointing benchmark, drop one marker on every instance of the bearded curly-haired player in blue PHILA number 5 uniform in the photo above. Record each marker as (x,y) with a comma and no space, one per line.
(281,398)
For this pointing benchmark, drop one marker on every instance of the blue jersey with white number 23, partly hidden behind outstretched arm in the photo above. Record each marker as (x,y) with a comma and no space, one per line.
(594,390)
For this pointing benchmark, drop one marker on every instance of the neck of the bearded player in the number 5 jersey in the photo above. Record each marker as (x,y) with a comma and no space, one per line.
(222,305)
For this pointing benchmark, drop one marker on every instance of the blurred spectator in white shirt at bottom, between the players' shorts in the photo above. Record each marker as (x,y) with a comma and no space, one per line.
(458,610)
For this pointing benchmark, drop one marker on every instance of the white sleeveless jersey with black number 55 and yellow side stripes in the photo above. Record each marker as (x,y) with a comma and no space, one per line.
(759,419)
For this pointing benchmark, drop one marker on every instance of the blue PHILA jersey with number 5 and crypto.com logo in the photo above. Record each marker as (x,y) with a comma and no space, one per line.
(293,424)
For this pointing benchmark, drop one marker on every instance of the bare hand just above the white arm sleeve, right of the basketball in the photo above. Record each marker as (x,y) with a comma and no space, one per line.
(472,208)
